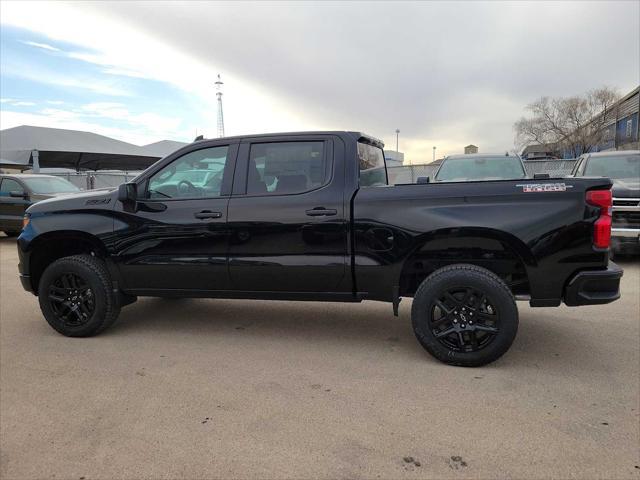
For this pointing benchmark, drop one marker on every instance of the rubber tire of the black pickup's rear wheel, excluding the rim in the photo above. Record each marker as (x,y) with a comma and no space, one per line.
(501,299)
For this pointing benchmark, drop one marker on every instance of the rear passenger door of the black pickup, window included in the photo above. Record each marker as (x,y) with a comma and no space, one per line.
(287,217)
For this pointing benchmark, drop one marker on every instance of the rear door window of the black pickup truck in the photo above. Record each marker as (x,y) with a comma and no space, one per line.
(287,167)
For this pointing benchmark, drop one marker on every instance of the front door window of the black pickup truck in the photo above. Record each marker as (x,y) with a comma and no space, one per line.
(197,174)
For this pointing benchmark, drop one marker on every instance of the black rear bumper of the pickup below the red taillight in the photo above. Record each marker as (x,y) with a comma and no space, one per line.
(594,287)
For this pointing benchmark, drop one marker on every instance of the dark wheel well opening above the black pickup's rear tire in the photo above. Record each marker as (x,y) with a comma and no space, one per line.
(497,251)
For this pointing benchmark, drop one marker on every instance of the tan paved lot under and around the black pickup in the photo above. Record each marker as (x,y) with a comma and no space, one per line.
(254,389)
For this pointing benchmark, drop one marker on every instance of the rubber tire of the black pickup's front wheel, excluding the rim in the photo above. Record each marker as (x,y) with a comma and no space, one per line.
(96,320)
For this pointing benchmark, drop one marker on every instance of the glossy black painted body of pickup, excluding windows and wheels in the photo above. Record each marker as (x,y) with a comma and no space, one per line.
(379,244)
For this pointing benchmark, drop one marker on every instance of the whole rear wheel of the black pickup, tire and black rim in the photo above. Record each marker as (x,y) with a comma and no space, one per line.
(446,309)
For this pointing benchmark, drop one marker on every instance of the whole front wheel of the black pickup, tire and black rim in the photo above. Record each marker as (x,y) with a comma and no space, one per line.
(76,296)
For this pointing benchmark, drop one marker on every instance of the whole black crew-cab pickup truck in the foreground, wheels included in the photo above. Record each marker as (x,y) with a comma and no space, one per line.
(310,216)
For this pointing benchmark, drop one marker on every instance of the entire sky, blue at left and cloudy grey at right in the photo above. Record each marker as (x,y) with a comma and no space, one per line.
(445,74)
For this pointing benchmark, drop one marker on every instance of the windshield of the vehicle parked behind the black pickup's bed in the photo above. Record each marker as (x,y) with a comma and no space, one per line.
(480,168)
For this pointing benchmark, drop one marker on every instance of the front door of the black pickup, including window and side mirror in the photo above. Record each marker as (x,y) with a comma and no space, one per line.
(178,236)
